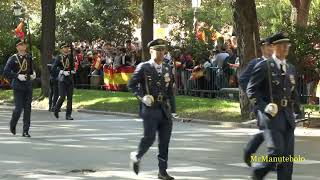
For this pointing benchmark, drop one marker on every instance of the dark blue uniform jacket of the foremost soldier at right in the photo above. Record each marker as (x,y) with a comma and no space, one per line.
(282,87)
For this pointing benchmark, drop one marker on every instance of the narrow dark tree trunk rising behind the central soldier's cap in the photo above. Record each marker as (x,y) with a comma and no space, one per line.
(147,27)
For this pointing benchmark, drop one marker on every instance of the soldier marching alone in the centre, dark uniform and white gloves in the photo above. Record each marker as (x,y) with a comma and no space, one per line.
(152,84)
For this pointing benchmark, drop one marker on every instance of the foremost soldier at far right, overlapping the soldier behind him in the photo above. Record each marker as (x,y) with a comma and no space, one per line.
(272,89)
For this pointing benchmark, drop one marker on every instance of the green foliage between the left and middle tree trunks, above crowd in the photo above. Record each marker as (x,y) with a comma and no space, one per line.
(93,19)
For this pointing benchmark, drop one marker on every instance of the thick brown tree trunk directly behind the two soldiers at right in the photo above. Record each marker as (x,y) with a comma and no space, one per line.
(246,26)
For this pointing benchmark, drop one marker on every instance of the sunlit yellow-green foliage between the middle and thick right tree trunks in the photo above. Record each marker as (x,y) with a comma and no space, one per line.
(215,13)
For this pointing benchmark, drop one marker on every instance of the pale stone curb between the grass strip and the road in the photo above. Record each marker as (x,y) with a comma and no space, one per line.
(247,124)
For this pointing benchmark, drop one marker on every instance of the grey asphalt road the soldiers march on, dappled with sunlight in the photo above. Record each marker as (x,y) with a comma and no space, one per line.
(95,146)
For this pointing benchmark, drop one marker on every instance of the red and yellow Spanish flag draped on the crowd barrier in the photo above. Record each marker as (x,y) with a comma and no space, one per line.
(117,79)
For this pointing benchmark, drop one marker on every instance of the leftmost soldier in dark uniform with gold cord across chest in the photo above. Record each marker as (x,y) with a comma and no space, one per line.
(19,69)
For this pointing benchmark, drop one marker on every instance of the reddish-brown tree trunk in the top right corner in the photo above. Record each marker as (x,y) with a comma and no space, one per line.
(300,12)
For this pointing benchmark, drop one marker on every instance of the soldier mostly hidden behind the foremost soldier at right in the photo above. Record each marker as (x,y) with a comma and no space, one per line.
(257,140)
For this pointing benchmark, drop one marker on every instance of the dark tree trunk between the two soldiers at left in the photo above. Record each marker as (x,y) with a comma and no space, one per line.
(48,21)
